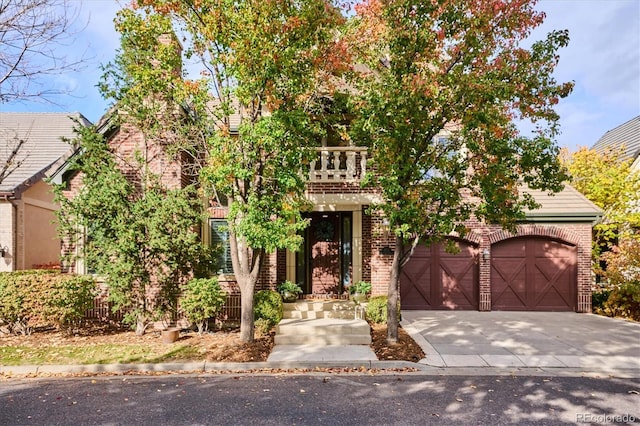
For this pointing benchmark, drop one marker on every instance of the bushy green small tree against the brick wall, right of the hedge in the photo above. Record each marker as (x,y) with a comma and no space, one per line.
(139,236)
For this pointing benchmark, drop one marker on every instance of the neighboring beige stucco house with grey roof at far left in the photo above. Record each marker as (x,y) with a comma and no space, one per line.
(27,210)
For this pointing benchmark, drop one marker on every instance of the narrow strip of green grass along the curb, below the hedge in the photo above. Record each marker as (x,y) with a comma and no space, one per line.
(96,354)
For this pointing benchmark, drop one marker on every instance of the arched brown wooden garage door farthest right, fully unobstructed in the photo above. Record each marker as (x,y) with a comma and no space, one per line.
(533,274)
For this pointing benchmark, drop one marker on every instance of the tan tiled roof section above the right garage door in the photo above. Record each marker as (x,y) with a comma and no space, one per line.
(568,205)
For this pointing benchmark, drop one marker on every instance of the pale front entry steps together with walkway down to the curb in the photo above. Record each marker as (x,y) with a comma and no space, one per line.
(322,331)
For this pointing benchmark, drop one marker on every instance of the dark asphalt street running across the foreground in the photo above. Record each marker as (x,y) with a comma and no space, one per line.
(318,399)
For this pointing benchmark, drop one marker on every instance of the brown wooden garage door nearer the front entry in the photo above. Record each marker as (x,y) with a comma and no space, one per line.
(435,279)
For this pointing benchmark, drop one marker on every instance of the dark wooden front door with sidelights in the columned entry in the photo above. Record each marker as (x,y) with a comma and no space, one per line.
(324,264)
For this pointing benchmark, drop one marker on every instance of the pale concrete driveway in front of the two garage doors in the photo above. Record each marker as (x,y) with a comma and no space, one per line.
(524,339)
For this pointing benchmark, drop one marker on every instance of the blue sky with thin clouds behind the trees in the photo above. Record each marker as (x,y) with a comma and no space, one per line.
(602,59)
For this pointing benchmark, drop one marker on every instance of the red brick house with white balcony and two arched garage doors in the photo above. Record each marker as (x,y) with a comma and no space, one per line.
(544,266)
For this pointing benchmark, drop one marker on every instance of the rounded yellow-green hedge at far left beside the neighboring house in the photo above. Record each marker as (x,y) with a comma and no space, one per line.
(38,298)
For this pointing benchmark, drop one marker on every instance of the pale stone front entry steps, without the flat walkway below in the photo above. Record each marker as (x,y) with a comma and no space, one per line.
(322,323)
